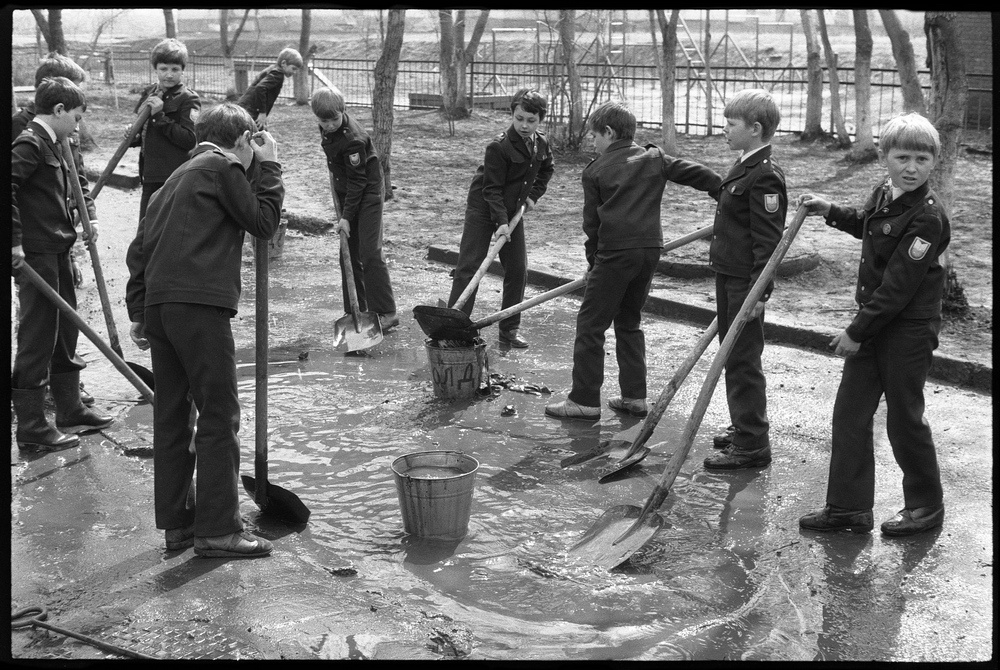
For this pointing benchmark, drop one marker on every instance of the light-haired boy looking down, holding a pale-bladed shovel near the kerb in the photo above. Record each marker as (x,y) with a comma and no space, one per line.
(359,186)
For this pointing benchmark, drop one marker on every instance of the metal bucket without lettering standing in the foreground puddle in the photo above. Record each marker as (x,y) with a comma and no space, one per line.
(435,493)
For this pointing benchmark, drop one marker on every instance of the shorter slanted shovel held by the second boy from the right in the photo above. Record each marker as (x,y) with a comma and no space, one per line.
(627,445)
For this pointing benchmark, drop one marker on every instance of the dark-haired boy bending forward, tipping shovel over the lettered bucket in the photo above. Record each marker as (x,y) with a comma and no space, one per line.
(515,172)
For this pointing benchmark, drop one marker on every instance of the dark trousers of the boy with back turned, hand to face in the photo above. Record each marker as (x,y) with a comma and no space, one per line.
(194,357)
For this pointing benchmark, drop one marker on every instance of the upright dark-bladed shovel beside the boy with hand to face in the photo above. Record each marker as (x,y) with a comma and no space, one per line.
(271,498)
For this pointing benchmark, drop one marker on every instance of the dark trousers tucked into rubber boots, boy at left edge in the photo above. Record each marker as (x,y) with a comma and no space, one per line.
(46,340)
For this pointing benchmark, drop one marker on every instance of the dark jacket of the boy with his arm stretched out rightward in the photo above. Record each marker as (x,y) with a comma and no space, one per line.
(622,192)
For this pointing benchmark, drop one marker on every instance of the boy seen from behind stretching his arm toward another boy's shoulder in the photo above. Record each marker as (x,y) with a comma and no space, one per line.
(622,192)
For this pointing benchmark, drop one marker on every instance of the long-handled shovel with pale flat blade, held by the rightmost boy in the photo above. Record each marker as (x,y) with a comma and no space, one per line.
(624,529)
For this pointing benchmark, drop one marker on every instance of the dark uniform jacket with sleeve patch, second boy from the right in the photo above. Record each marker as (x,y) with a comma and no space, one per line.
(750,218)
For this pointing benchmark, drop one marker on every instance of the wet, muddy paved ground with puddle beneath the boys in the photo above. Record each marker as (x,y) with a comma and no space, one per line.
(730,576)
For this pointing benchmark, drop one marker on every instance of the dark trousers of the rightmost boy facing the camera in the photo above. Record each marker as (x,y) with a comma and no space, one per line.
(895,364)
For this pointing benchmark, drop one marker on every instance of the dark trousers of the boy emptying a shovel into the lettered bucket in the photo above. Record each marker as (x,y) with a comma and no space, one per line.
(476,241)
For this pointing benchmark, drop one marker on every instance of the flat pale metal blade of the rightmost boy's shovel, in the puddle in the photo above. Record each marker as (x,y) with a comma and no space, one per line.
(601,545)
